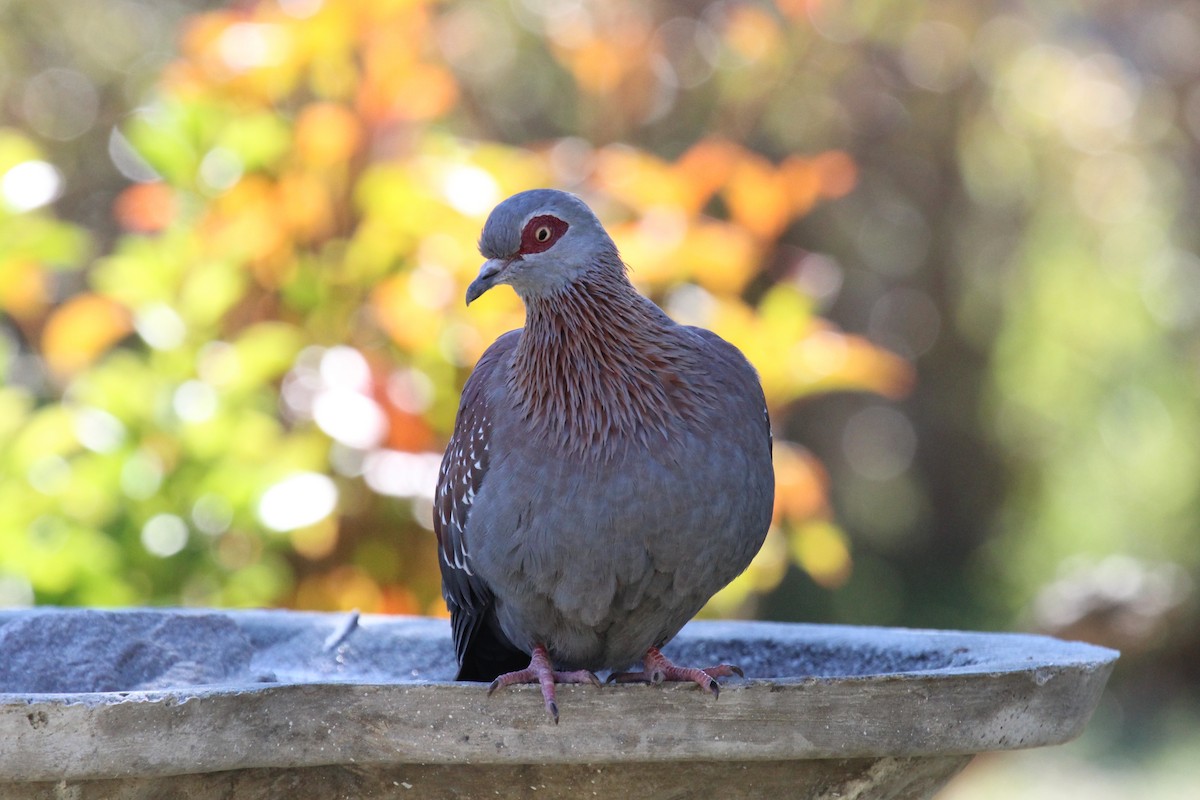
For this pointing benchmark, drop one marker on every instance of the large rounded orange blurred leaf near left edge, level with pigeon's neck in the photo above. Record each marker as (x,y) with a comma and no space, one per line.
(81,330)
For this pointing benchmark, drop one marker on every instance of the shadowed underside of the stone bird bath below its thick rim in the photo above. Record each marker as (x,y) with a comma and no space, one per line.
(835,779)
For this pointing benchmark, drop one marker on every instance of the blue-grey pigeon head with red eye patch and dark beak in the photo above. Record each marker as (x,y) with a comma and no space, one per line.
(541,243)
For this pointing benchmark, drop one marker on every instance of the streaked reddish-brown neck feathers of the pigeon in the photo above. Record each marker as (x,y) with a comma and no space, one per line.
(599,365)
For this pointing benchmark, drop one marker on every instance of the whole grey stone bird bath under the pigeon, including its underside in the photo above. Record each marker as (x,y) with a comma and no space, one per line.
(140,705)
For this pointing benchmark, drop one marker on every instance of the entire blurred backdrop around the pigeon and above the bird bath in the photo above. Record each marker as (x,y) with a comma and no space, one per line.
(959,240)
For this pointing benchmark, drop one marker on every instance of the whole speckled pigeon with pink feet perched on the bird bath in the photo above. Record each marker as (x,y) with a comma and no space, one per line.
(609,472)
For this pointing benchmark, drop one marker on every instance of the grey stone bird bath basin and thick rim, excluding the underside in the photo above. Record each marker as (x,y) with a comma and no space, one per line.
(941,694)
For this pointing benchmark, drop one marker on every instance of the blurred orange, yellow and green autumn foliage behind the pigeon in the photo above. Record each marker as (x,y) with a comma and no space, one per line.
(239,399)
